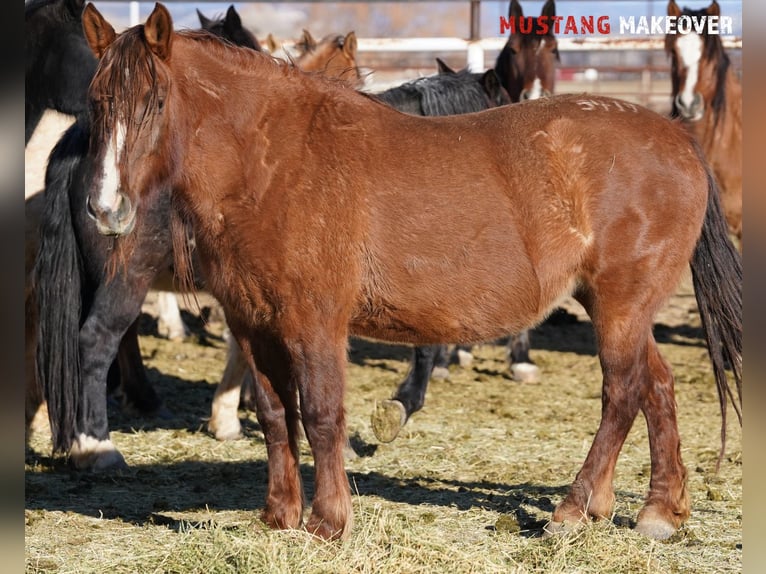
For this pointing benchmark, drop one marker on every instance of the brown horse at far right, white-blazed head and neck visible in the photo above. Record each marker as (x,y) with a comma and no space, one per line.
(707,96)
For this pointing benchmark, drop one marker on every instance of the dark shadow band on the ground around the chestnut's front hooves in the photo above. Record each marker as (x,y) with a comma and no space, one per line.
(152,494)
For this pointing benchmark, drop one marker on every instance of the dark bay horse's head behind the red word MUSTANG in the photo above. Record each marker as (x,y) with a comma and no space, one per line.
(527,64)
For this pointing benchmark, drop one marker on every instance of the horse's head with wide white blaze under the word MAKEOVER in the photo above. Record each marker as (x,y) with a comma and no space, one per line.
(698,66)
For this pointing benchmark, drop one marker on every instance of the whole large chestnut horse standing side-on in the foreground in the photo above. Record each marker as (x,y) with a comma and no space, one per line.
(300,193)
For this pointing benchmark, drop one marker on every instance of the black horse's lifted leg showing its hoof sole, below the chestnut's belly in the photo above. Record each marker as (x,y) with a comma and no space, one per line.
(391,415)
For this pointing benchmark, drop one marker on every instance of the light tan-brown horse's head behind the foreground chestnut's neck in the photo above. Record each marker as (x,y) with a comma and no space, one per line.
(334,56)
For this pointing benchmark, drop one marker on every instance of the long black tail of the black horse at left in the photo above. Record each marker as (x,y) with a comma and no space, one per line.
(58,285)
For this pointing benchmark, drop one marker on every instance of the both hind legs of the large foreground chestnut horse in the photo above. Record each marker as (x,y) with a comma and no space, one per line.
(635,377)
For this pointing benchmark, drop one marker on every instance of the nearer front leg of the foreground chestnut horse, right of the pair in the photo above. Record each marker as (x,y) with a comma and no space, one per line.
(320,372)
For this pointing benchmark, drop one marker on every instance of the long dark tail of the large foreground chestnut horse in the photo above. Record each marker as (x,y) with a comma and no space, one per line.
(717,275)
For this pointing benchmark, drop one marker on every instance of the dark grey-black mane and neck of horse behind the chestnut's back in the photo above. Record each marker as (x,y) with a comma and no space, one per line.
(441,95)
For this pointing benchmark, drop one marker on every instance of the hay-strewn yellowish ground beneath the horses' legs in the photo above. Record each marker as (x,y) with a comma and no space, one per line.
(466,487)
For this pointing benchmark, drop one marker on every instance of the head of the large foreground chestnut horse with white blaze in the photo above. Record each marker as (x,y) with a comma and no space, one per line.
(128,115)
